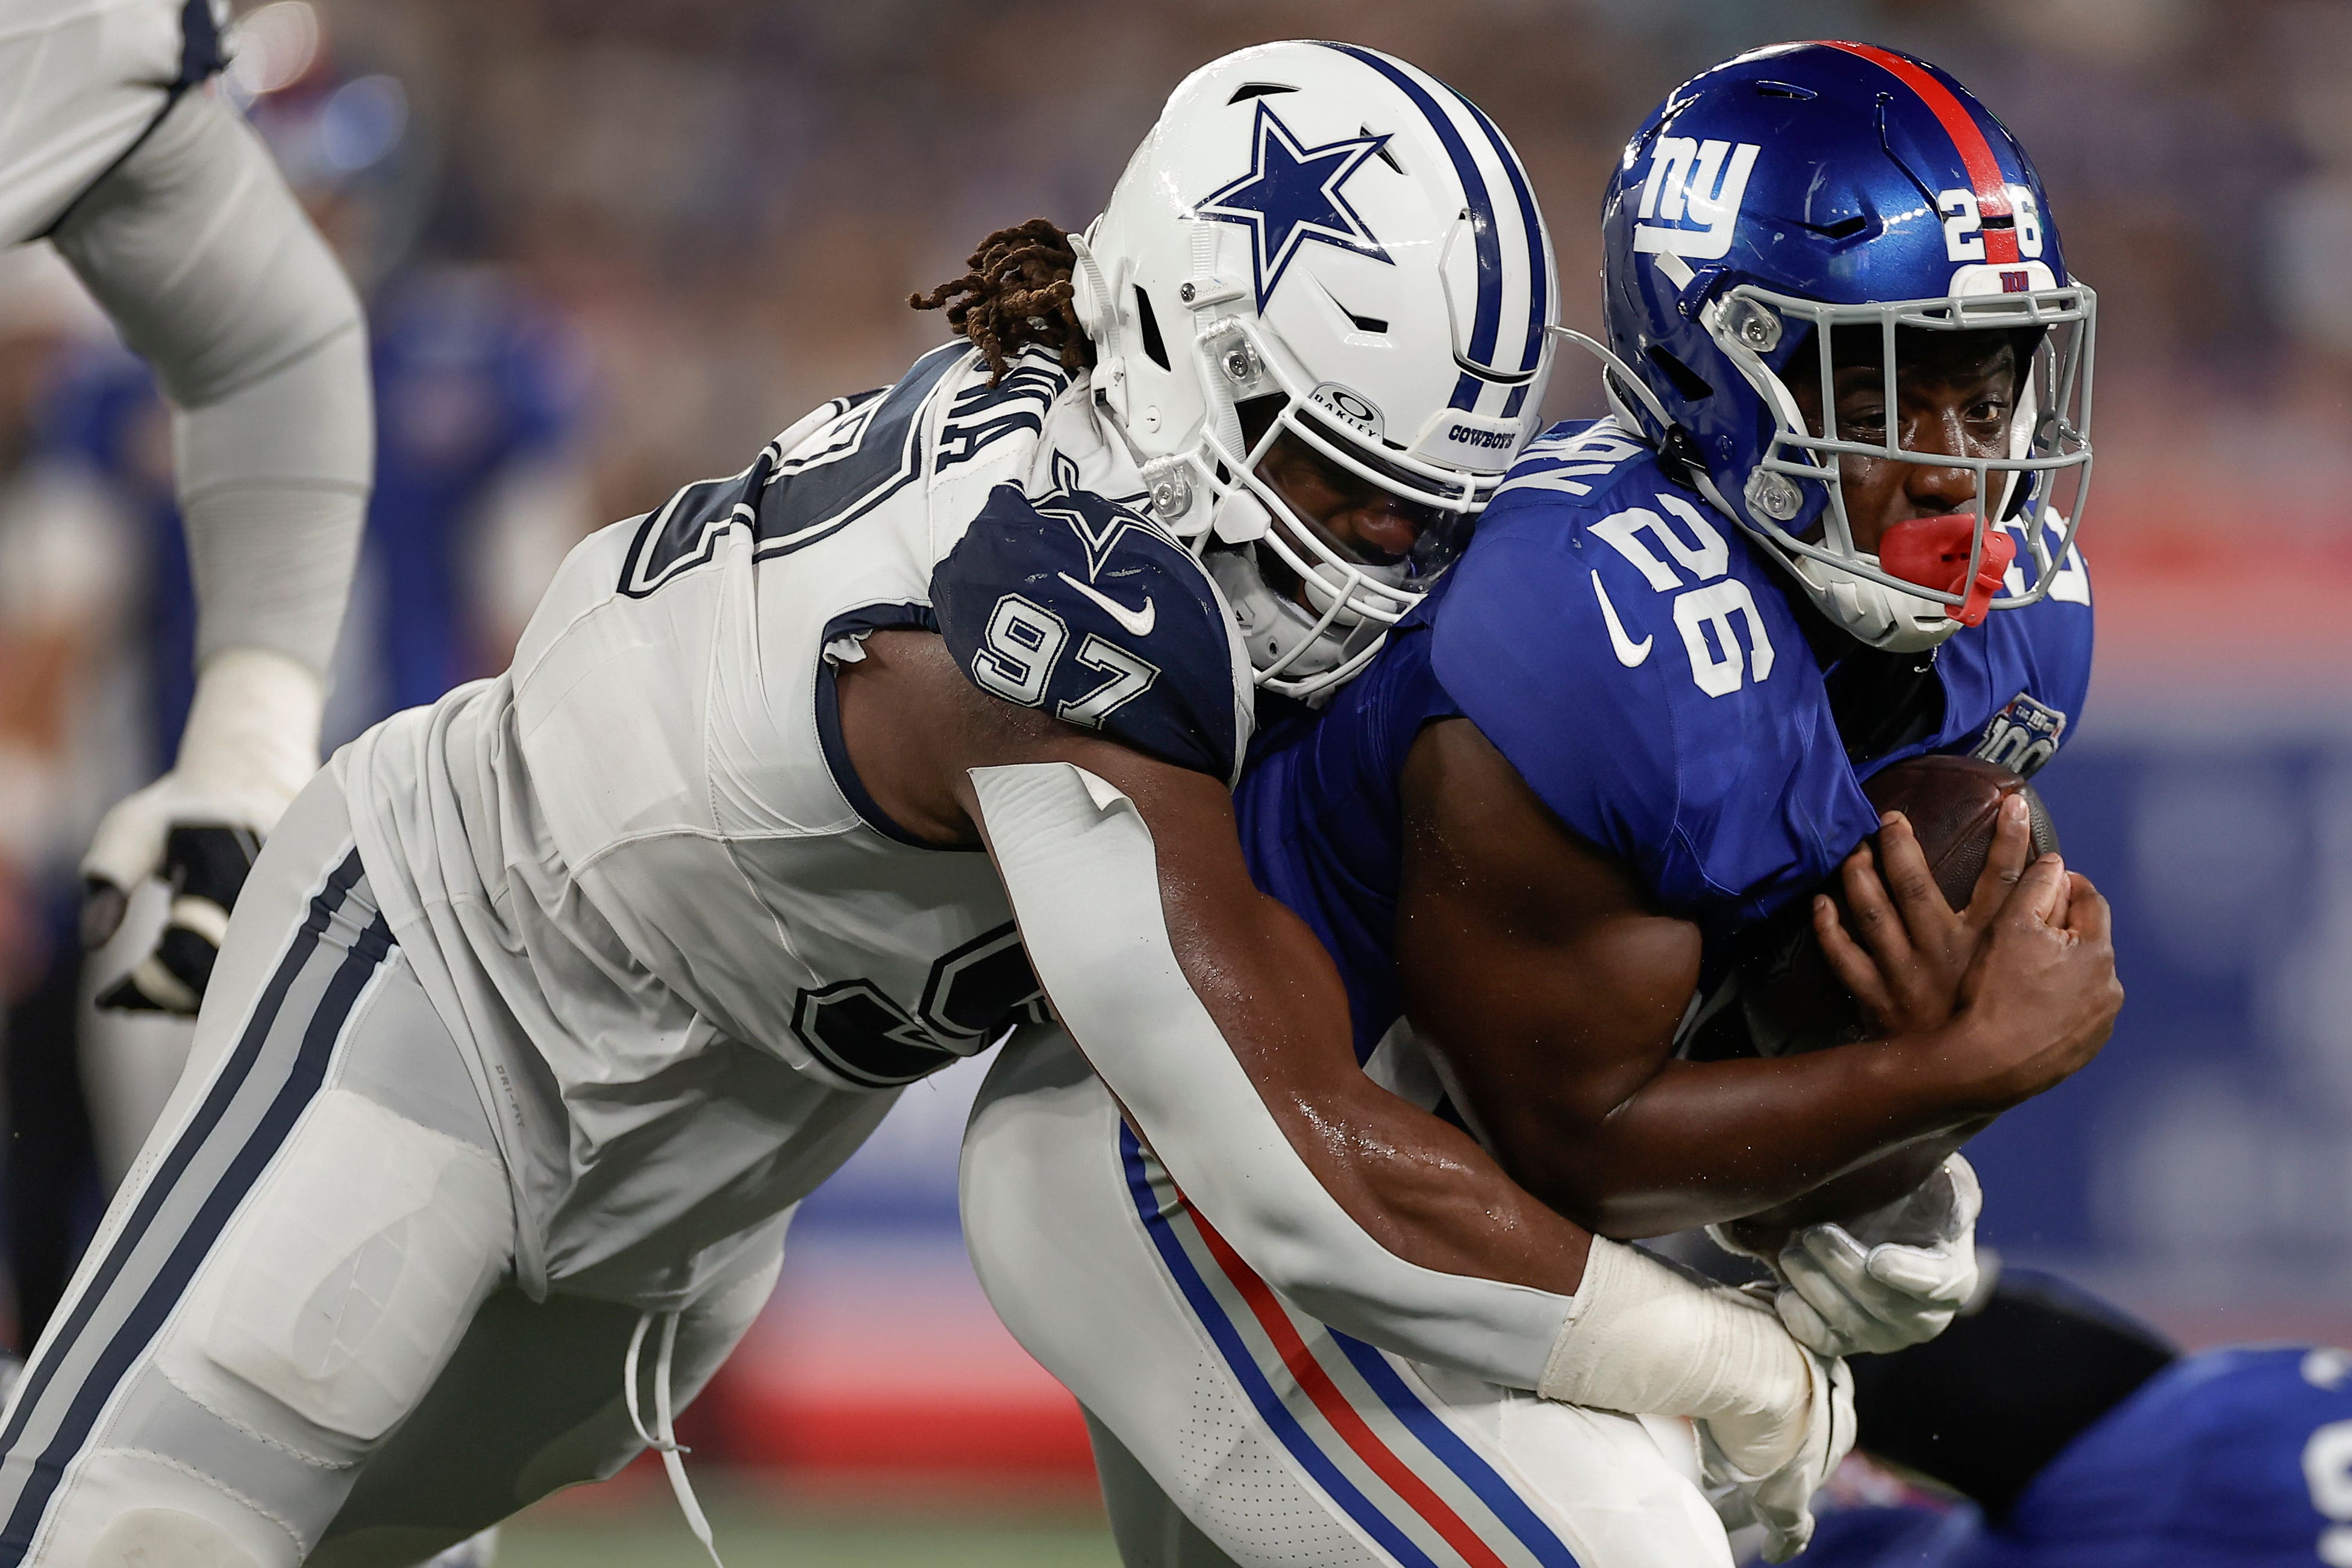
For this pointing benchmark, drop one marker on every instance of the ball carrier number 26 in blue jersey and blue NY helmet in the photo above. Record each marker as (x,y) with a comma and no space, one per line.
(1633,723)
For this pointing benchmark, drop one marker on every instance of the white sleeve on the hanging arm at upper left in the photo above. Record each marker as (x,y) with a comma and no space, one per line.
(211,269)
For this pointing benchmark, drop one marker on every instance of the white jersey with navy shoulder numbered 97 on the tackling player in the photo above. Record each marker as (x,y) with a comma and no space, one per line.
(636,873)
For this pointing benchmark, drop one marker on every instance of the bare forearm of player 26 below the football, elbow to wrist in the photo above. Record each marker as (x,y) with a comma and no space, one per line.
(1704,1144)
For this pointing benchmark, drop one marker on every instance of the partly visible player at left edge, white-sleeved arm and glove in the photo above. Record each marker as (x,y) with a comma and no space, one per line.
(121,152)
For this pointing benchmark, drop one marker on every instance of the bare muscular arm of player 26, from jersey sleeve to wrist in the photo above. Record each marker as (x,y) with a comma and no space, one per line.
(1549,991)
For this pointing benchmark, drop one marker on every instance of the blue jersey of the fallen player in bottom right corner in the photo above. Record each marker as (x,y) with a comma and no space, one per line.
(2236,1459)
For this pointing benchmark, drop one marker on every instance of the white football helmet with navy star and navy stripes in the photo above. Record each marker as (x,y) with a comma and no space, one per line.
(1351,241)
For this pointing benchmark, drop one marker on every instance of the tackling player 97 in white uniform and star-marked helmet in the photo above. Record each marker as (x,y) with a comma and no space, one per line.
(549,1003)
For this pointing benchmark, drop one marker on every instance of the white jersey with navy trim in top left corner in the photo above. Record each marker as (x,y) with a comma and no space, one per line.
(81,83)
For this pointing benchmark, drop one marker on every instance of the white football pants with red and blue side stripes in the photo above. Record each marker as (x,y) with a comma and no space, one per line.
(1234,1428)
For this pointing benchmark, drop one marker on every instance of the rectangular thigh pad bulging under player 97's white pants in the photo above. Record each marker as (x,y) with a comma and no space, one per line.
(347,1282)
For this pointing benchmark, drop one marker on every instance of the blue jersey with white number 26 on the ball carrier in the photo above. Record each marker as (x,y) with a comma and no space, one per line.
(1648,674)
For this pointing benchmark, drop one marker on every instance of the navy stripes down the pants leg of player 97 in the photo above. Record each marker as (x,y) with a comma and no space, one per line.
(163,1292)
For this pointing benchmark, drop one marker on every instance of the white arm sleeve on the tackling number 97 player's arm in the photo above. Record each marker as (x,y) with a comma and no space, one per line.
(1085,887)
